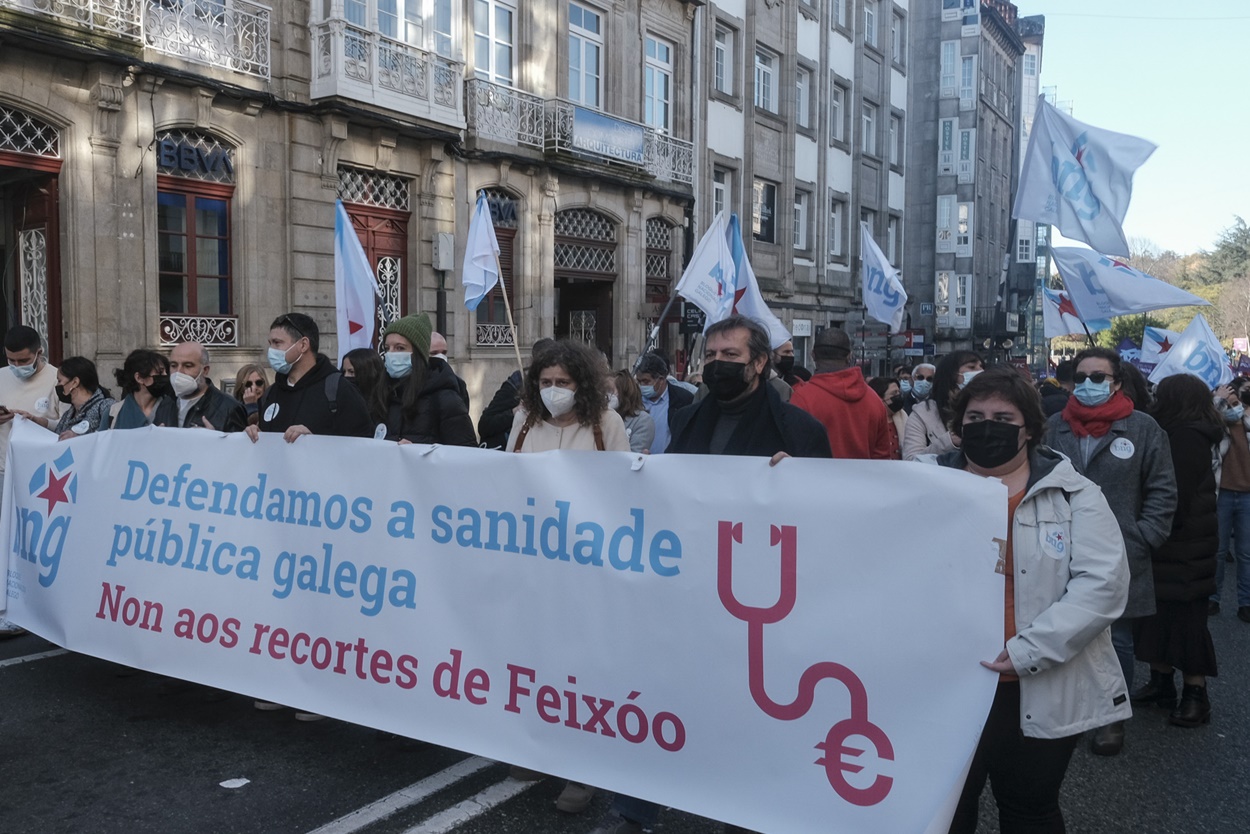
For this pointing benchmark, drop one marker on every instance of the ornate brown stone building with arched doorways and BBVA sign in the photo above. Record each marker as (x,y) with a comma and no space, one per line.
(169,169)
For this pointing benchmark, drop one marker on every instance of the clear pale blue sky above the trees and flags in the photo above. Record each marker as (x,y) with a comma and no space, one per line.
(1172,73)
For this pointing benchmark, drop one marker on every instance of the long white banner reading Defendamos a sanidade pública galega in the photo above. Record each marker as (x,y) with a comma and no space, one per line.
(652,626)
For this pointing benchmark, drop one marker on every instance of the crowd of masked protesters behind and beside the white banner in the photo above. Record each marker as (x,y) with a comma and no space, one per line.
(1124,501)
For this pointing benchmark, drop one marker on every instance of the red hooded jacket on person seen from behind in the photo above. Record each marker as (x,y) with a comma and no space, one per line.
(854,417)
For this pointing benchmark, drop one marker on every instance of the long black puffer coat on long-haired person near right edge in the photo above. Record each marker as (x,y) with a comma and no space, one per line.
(1184,567)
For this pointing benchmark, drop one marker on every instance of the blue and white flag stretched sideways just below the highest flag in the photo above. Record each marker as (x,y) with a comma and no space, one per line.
(1103,287)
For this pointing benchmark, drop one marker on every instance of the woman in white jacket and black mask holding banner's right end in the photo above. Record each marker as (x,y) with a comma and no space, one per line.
(1067,580)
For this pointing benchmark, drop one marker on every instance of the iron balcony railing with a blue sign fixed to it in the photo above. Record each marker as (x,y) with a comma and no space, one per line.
(572,128)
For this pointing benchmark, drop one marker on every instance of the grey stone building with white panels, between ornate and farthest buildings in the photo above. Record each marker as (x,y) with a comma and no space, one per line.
(806,113)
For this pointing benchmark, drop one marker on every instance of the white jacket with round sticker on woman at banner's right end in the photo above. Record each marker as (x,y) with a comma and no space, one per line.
(1072,582)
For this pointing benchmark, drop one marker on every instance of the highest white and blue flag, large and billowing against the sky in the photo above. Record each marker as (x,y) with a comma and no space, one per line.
(1079,179)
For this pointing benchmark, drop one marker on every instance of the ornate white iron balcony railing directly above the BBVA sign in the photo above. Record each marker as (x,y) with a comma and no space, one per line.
(231,34)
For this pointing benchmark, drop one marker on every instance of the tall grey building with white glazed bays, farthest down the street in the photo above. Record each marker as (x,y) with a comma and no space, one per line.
(962,266)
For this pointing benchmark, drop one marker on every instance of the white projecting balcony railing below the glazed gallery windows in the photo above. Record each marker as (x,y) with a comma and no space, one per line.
(368,67)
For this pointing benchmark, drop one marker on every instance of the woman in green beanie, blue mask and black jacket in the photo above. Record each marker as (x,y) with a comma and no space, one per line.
(424,404)
